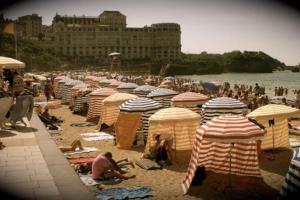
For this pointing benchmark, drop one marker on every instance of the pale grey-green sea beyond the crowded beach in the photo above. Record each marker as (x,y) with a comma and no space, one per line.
(286,79)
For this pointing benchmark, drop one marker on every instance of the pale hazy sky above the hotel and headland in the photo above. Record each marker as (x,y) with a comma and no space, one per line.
(214,26)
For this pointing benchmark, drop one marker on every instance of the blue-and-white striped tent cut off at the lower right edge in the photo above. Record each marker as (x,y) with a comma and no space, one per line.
(291,185)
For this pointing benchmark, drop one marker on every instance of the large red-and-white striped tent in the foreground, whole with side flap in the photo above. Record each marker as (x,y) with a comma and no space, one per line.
(213,150)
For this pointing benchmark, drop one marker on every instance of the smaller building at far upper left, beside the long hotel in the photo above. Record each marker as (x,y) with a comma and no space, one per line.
(29,26)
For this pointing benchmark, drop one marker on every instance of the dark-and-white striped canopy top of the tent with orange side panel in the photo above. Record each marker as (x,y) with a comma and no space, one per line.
(140,105)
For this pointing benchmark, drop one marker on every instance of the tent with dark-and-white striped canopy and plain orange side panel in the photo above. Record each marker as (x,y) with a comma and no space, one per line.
(129,121)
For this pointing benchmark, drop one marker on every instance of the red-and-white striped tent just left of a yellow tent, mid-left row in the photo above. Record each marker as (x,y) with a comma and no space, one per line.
(96,101)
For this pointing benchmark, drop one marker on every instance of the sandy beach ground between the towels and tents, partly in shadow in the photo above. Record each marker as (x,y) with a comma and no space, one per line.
(166,183)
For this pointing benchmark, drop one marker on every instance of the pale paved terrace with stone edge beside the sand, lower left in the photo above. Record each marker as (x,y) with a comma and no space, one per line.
(32,167)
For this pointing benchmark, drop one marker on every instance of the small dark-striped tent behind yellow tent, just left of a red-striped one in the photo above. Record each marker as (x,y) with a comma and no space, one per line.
(162,95)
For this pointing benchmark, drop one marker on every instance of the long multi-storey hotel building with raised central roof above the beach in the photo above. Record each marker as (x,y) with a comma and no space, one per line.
(84,37)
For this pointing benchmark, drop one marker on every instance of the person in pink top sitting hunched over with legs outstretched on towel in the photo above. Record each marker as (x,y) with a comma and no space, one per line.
(105,167)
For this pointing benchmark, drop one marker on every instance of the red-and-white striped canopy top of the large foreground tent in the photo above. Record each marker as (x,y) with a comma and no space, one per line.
(231,129)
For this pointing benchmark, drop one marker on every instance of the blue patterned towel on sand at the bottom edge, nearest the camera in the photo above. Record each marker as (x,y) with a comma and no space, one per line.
(124,193)
